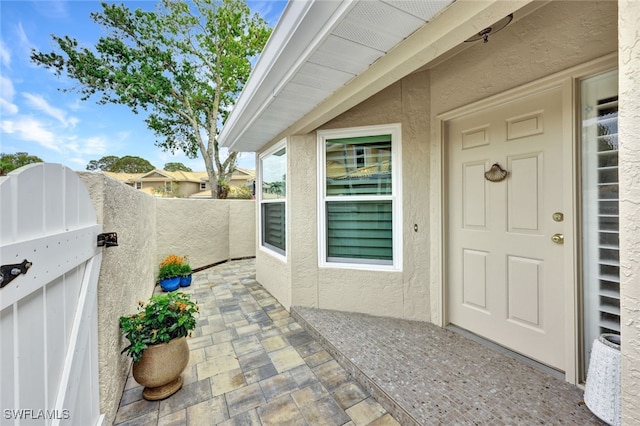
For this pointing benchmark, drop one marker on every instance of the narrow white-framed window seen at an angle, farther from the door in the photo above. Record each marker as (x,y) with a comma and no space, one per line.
(272,198)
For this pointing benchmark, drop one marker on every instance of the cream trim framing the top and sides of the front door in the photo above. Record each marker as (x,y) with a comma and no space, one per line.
(566,80)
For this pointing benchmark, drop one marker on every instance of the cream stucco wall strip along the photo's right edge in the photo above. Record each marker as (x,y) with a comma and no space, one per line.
(629,177)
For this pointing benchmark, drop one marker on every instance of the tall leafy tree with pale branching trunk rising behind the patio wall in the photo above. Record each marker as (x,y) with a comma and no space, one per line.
(185,63)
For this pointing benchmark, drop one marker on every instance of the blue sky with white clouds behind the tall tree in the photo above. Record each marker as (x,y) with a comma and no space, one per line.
(37,118)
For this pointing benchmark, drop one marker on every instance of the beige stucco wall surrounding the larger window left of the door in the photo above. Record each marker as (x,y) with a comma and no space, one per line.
(405,293)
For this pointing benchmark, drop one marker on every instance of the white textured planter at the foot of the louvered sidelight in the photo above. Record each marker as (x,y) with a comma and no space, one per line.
(602,392)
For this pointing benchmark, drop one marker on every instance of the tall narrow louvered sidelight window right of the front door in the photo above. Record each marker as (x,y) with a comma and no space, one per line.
(600,239)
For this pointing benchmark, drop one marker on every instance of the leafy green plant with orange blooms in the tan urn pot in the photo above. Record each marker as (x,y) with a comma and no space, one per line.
(163,318)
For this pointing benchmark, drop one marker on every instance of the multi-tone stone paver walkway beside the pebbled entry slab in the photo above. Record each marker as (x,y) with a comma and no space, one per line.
(252,364)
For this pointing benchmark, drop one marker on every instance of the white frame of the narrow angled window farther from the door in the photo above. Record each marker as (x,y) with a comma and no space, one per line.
(266,247)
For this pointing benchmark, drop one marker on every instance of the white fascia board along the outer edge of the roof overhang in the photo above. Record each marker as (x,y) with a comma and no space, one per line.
(301,28)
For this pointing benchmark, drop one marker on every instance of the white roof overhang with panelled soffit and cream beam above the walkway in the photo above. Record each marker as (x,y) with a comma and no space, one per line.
(325,57)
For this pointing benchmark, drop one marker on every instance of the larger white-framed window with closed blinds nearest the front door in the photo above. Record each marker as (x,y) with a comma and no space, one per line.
(360,197)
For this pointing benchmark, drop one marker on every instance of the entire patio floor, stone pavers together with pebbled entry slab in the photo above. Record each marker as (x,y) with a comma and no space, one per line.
(252,363)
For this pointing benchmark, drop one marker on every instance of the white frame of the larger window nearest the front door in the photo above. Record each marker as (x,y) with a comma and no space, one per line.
(395,131)
